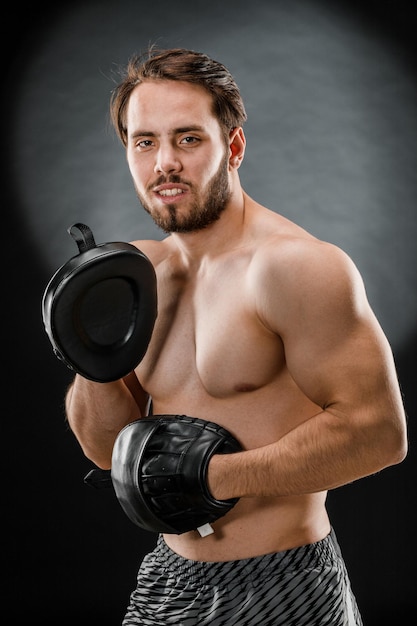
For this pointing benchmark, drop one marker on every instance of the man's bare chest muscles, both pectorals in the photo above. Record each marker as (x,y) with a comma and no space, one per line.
(209,337)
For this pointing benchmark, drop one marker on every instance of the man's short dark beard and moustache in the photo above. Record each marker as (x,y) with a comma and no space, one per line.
(204,212)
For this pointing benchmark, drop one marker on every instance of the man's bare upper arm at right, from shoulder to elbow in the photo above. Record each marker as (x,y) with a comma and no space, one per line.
(335,349)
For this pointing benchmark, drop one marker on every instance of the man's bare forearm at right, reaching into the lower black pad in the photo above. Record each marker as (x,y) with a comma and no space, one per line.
(322,453)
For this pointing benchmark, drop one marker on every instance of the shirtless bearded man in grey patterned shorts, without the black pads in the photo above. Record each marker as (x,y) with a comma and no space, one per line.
(261,328)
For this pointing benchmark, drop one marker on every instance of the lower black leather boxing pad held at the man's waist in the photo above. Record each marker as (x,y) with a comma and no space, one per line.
(159,472)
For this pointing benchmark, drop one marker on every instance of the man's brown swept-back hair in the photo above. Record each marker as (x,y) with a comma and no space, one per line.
(185,65)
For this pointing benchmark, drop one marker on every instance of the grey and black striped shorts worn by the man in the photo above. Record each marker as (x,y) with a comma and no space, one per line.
(306,586)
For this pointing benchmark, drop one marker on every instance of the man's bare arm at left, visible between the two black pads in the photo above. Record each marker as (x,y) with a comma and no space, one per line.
(96,412)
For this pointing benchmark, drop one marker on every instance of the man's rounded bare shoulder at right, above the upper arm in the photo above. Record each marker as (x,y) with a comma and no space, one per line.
(297,276)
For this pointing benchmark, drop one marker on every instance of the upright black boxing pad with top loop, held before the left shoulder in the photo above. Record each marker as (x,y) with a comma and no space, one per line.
(99,308)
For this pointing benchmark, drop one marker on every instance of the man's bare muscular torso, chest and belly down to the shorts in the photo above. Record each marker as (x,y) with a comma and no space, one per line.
(212,357)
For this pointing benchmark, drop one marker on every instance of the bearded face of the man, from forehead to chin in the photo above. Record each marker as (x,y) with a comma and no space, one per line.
(177,155)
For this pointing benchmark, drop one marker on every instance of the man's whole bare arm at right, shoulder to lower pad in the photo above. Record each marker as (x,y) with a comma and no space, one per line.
(340,358)
